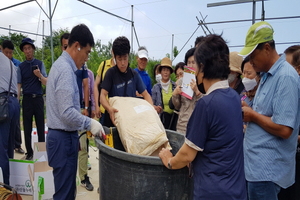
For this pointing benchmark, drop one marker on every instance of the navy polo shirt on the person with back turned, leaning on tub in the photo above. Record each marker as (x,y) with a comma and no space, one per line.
(216,128)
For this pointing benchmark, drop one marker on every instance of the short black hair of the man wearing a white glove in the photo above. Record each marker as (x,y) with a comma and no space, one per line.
(82,34)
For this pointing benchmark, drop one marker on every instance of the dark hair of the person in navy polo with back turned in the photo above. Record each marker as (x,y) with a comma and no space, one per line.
(212,57)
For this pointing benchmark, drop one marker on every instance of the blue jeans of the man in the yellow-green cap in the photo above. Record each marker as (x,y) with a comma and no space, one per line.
(263,190)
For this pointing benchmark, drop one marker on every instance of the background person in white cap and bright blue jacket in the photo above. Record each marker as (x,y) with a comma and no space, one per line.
(142,60)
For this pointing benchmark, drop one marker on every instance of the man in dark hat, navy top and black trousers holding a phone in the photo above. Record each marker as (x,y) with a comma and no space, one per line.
(31,76)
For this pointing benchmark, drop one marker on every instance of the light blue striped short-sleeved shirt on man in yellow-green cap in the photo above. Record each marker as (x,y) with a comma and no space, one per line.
(268,157)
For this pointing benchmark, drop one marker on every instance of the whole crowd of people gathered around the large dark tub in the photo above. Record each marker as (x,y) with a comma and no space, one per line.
(241,124)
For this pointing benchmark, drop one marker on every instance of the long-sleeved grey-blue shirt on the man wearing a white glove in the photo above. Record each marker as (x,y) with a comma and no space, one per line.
(62,101)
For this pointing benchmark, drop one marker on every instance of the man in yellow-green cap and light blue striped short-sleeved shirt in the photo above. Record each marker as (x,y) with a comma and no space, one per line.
(273,121)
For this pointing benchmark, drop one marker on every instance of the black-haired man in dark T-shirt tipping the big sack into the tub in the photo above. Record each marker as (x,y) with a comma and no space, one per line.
(120,80)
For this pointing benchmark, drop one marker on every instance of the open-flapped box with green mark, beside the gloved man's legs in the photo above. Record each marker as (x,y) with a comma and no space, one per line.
(42,180)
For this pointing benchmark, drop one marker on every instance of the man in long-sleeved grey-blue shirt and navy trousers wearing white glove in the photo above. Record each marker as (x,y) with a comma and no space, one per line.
(63,113)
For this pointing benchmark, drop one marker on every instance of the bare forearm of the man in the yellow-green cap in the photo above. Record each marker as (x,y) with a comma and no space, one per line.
(266,122)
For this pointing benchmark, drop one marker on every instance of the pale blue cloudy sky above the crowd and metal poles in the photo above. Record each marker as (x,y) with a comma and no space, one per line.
(159,24)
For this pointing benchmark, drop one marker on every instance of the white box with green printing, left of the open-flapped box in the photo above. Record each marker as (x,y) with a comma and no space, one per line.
(19,177)
